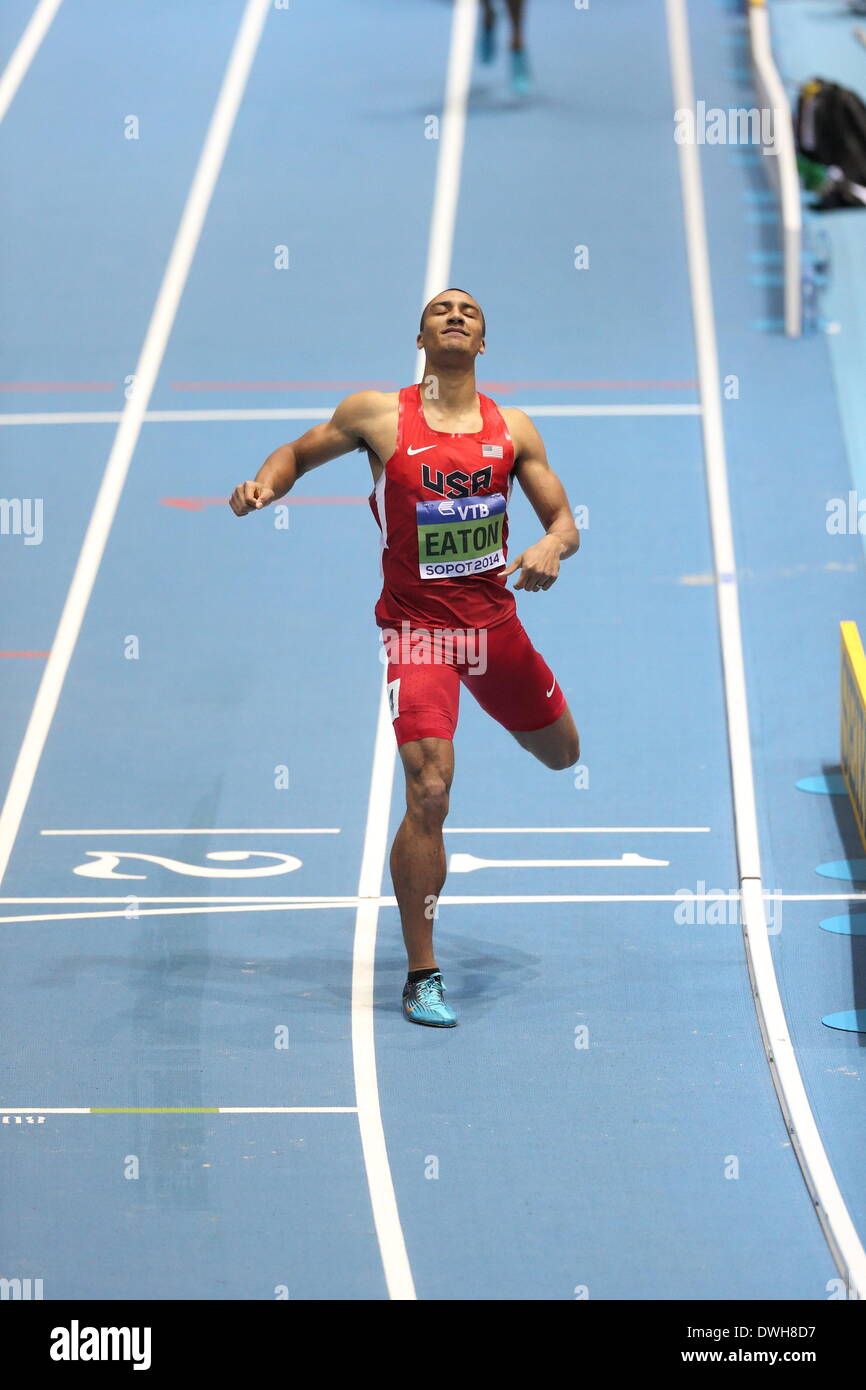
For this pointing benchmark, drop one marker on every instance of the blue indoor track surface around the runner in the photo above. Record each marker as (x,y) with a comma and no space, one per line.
(209,1090)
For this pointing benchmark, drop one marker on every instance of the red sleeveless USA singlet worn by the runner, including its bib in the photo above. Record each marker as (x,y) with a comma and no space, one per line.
(441,507)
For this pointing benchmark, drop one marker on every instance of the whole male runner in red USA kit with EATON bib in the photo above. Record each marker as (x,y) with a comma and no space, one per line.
(443,461)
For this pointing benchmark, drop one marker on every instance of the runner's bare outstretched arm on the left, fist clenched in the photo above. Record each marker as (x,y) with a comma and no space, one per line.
(281,471)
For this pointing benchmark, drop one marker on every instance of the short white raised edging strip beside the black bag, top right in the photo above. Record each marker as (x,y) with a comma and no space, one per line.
(785,155)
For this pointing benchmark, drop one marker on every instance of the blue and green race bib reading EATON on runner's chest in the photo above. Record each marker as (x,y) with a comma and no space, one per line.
(461,536)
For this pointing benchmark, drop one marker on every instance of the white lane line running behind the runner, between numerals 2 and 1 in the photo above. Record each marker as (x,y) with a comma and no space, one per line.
(393,1245)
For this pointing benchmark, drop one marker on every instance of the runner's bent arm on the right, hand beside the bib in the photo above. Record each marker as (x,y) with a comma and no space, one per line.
(540,564)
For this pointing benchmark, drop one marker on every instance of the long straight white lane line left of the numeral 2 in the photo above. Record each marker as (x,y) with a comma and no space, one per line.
(126,440)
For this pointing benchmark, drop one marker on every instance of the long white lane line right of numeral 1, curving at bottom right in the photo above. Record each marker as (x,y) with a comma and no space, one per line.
(800,1121)
